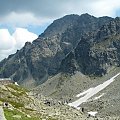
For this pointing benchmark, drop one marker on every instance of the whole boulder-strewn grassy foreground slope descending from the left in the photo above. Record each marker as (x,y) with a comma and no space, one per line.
(25,105)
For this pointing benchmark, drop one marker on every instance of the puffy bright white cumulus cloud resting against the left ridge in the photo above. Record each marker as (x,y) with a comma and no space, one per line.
(10,43)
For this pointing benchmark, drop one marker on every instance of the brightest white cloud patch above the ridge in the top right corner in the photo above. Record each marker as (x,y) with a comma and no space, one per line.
(104,7)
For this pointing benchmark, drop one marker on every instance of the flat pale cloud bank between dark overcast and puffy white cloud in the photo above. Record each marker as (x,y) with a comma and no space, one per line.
(23,19)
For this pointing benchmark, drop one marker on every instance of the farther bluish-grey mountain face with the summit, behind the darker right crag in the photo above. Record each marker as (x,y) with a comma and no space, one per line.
(37,61)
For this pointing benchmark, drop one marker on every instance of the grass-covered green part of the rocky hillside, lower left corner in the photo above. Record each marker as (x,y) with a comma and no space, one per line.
(19,104)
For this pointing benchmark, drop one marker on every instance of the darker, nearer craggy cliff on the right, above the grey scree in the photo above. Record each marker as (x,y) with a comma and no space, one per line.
(96,52)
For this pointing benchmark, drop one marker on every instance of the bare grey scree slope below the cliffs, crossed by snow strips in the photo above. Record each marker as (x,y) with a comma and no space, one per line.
(66,87)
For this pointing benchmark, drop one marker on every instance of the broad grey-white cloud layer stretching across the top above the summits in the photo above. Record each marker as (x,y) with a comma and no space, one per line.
(41,12)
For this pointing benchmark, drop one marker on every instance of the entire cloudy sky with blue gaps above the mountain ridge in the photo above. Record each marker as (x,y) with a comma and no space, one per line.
(33,16)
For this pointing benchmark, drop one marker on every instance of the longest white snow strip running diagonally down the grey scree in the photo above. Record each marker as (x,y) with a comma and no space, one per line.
(91,92)
